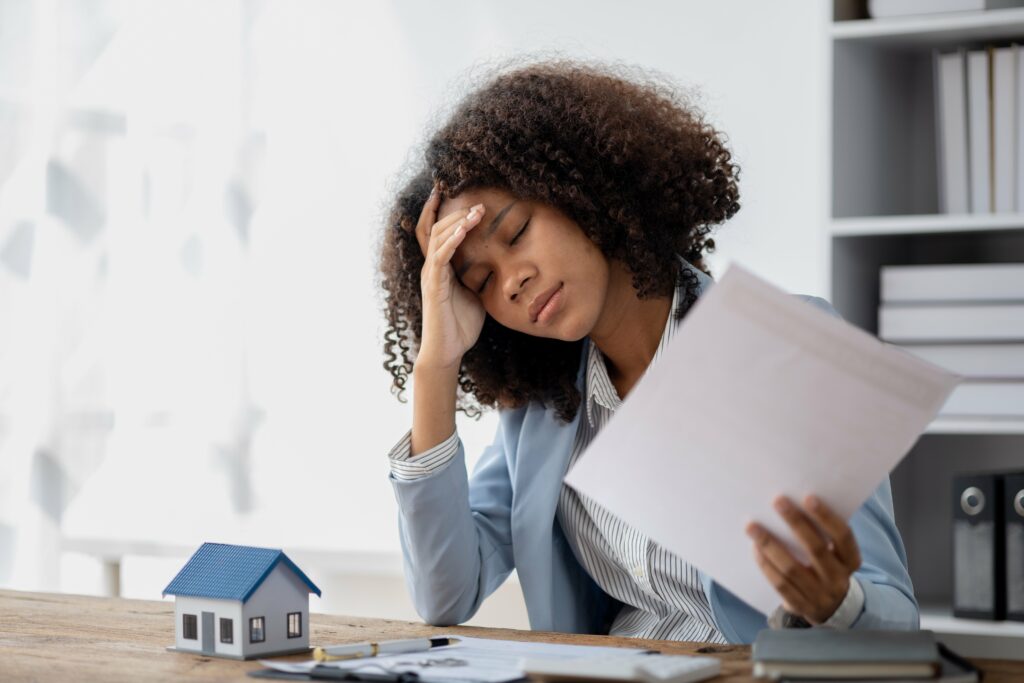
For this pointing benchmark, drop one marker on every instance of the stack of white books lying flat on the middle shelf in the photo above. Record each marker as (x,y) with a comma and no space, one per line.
(967,319)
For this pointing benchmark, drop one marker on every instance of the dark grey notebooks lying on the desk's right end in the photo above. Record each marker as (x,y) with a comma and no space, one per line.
(830,654)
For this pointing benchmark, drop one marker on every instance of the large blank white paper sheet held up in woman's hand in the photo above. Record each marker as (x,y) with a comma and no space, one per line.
(758,394)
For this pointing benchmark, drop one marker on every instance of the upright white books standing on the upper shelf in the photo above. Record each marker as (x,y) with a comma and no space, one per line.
(979,111)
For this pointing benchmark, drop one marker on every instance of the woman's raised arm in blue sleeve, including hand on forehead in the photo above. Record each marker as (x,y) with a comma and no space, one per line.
(456,537)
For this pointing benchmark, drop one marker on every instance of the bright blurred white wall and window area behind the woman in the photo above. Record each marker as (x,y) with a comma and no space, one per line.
(191,198)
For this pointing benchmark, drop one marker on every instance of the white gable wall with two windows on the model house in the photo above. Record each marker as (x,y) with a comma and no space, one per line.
(281,593)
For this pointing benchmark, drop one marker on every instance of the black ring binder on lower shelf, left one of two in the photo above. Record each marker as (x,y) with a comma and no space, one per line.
(978,550)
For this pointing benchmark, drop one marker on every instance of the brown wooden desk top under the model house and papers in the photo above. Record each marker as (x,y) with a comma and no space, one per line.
(56,637)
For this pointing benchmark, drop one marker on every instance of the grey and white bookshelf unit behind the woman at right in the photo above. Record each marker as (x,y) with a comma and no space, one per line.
(885,211)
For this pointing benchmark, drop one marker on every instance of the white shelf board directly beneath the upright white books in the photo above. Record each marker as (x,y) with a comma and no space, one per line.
(883,226)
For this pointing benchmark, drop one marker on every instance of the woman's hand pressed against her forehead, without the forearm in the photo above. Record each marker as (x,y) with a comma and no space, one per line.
(453,317)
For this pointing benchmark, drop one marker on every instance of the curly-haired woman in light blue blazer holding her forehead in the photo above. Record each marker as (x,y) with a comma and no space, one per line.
(538,264)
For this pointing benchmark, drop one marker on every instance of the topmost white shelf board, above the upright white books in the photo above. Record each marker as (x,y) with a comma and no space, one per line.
(934,30)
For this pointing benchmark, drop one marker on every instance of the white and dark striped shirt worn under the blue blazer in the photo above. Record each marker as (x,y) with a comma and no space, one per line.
(662,594)
